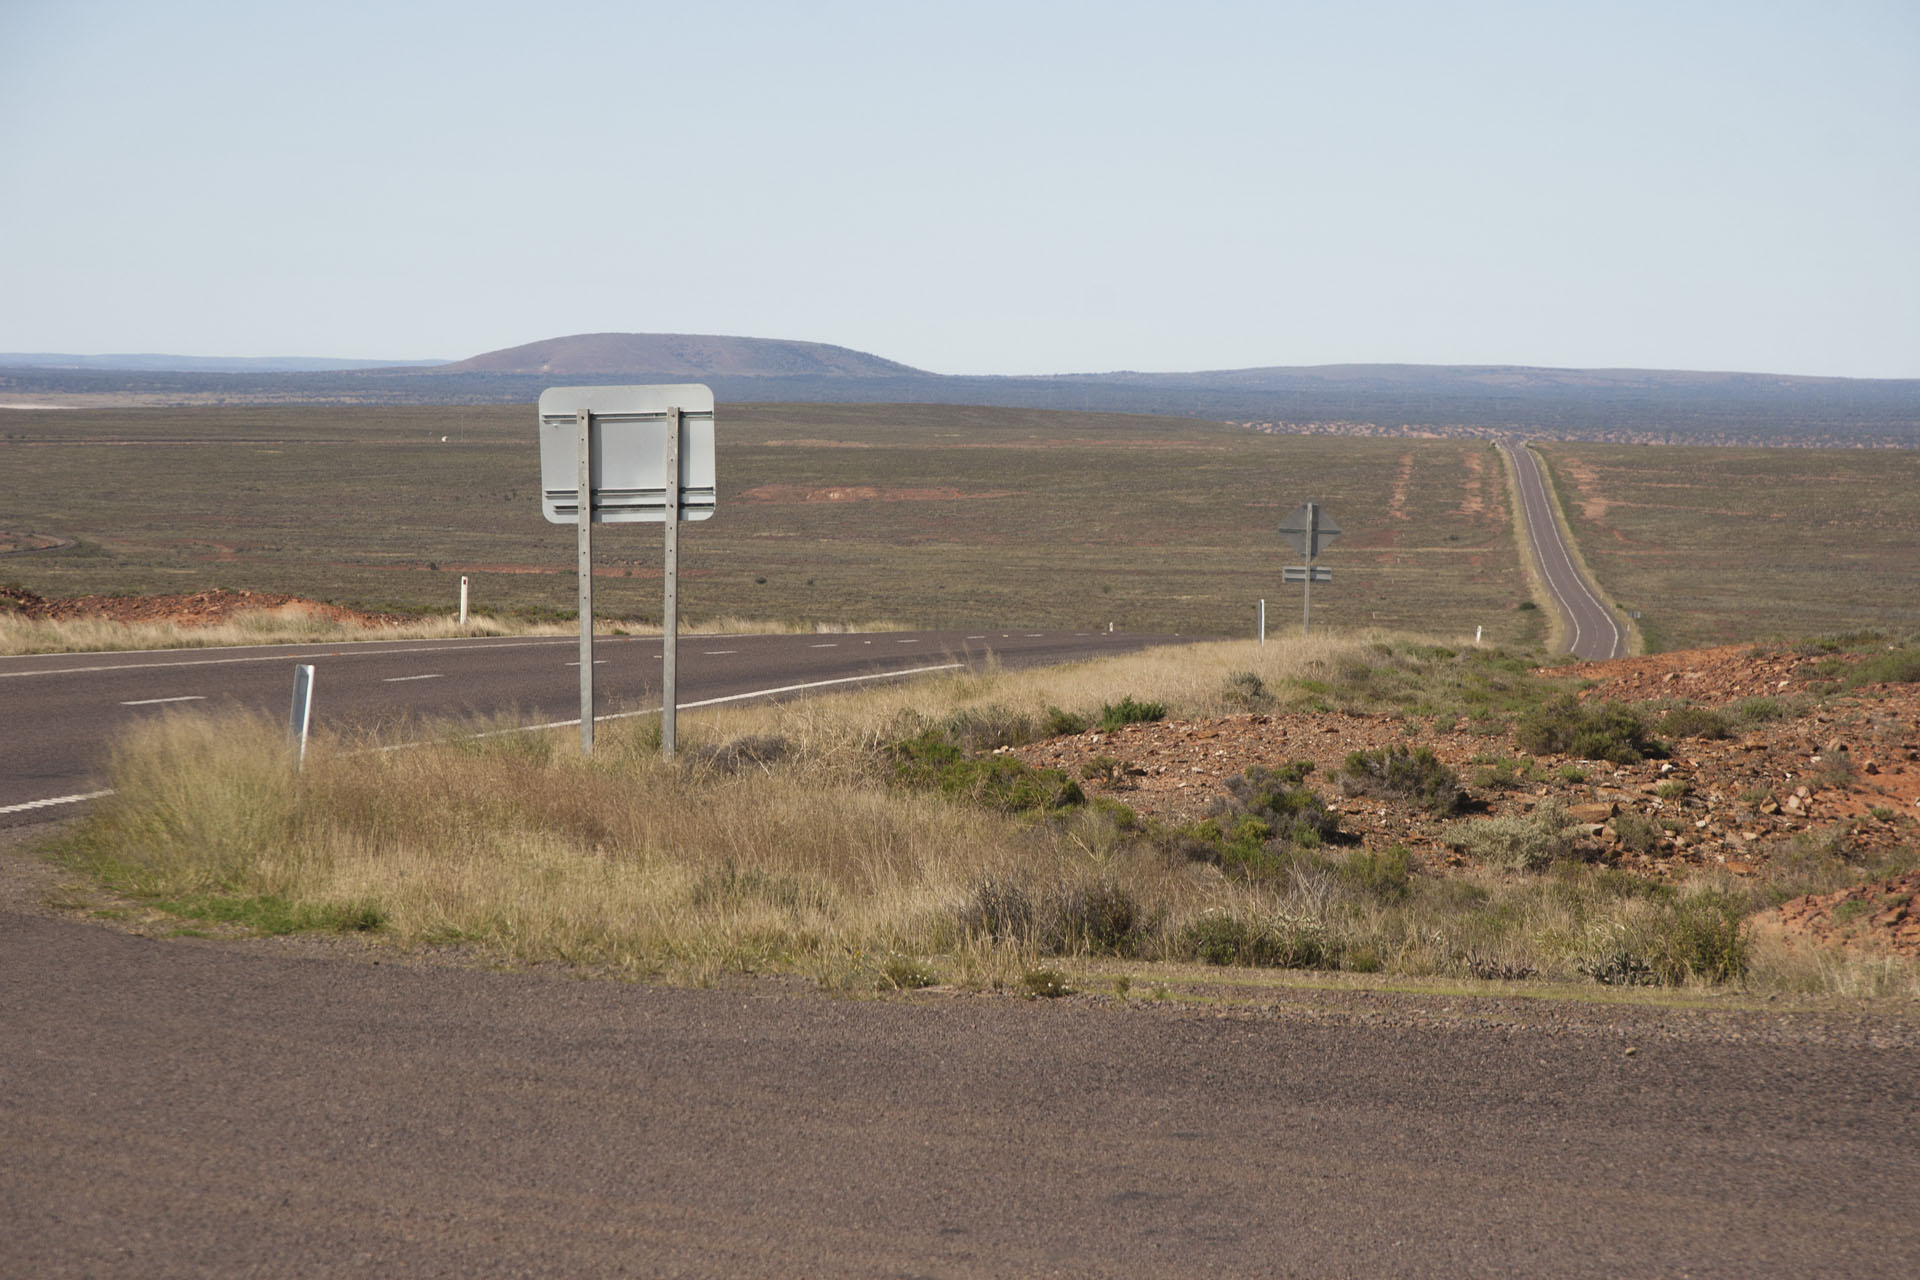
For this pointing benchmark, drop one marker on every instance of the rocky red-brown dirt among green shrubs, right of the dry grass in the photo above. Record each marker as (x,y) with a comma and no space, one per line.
(1838,769)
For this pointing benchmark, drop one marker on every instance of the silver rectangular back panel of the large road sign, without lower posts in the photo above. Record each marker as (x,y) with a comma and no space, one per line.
(629,456)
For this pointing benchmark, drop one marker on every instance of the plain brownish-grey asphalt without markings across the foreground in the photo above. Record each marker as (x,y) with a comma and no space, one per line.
(220,1110)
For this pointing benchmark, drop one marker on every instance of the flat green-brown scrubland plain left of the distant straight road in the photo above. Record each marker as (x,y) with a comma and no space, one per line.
(828,513)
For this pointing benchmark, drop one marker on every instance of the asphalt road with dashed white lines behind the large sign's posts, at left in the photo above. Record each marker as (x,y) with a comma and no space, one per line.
(60,711)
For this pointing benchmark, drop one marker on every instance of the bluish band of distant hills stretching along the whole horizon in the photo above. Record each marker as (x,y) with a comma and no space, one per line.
(1639,406)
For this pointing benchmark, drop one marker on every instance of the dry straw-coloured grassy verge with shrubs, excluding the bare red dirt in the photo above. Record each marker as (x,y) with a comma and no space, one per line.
(880,841)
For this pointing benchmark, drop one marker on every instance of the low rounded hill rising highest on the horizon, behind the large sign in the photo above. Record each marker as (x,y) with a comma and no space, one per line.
(684,356)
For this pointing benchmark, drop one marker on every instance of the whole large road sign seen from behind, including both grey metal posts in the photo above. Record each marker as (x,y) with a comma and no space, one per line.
(623,456)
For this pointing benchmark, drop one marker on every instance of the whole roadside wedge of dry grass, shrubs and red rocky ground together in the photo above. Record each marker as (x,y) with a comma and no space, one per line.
(1374,817)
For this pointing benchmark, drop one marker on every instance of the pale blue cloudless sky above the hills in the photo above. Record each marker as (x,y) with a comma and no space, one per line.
(971,187)
